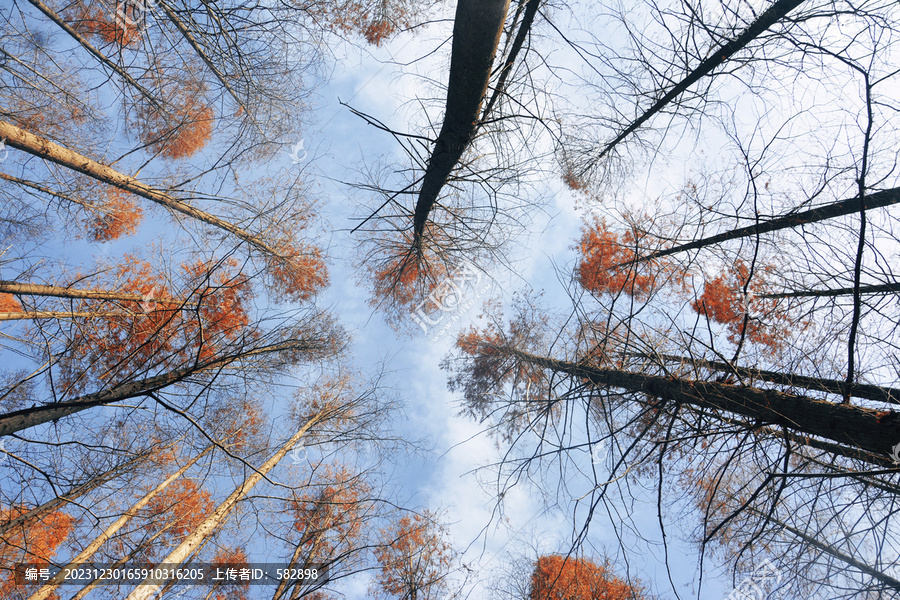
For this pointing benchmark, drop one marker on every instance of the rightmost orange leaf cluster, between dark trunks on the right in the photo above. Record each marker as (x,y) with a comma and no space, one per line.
(723,301)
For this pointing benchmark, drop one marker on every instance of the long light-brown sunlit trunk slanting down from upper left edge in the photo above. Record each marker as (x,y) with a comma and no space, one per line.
(43,148)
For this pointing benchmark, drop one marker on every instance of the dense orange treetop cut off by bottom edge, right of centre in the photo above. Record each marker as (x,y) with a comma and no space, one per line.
(561,578)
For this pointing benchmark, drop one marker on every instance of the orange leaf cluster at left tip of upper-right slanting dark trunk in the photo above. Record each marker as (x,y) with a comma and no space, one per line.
(602,251)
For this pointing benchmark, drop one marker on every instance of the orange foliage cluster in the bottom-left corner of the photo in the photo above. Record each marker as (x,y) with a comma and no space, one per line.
(34,542)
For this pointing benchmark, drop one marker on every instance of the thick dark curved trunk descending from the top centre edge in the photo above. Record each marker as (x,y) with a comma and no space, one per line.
(476,34)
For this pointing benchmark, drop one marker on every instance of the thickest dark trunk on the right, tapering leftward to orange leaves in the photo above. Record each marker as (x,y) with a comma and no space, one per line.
(853,426)
